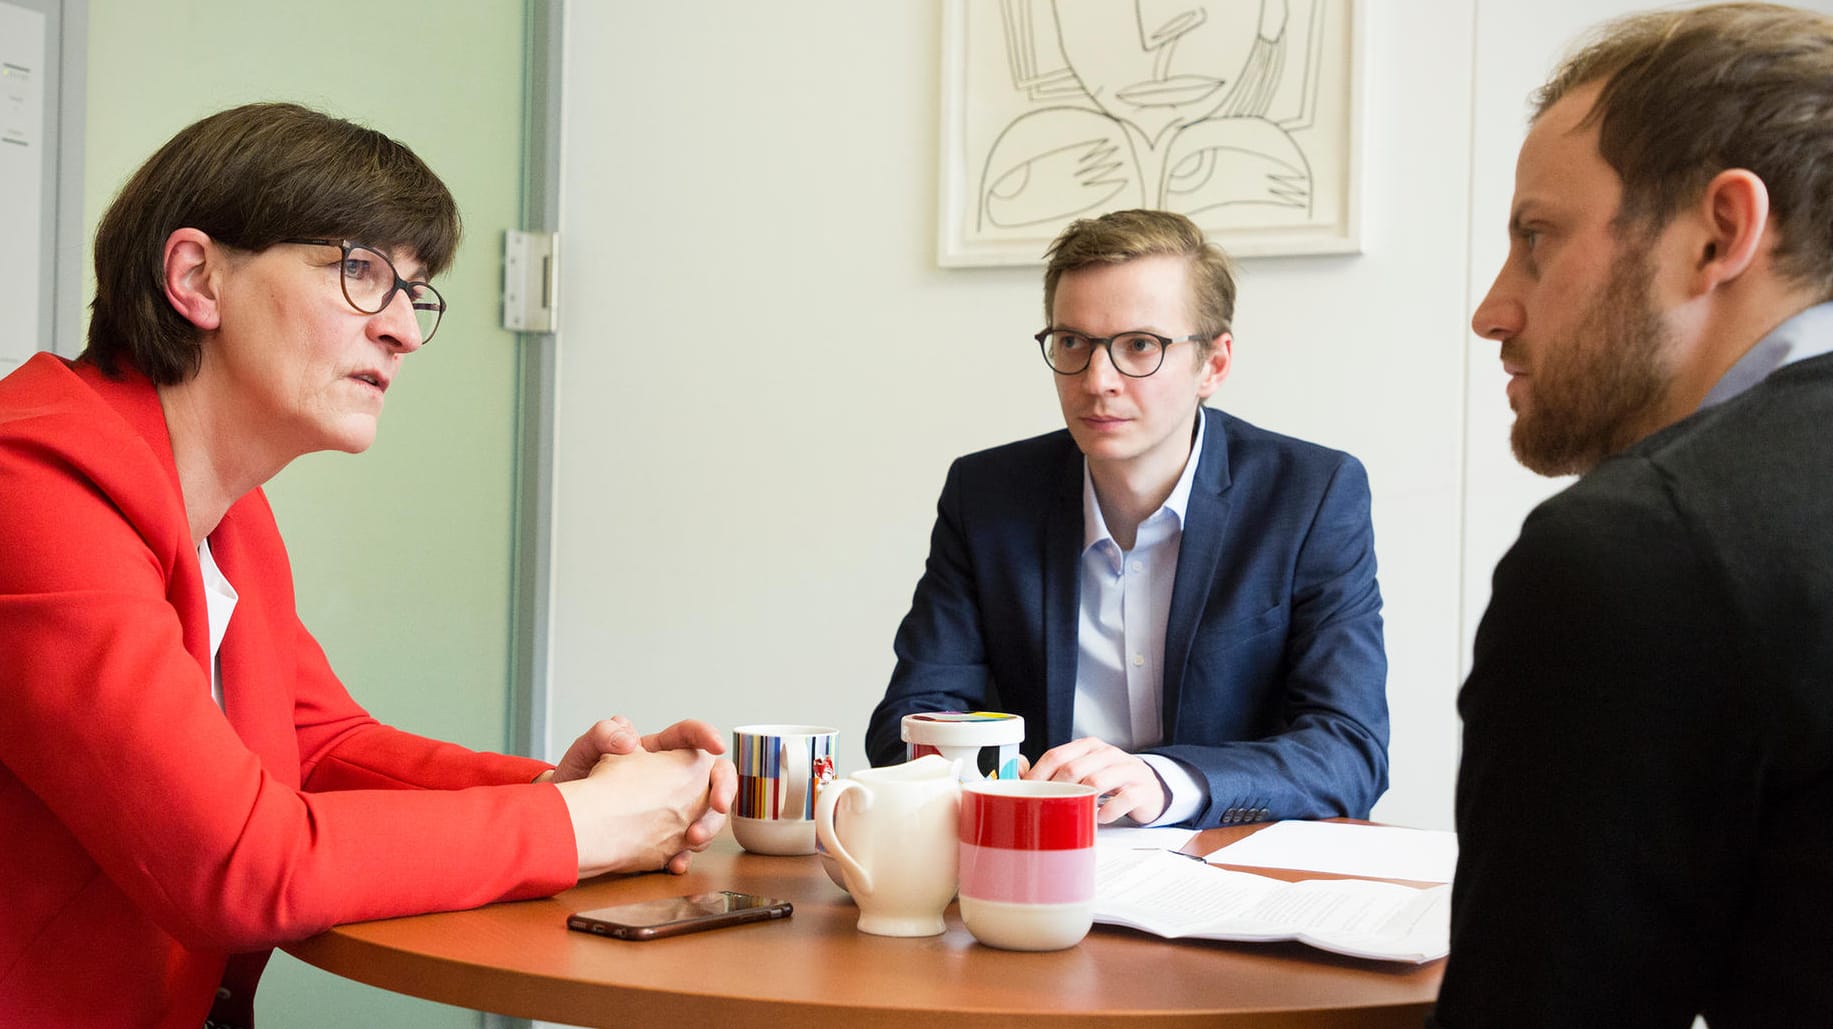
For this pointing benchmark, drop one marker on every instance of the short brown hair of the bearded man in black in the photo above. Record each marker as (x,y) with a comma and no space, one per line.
(1689,94)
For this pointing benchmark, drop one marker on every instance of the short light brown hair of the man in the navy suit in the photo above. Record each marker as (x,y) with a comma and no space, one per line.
(1125,236)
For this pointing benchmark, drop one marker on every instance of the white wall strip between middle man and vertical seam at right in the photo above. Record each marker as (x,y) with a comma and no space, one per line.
(1367,355)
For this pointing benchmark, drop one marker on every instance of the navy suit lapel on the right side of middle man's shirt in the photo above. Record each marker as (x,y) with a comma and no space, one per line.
(1200,551)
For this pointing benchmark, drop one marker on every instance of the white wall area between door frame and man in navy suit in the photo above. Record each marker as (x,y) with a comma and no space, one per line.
(747,454)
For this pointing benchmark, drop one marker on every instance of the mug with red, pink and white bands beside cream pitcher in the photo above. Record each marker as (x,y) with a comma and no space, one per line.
(1027,863)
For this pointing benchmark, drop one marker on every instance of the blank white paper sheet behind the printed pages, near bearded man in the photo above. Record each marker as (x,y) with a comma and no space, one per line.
(1372,852)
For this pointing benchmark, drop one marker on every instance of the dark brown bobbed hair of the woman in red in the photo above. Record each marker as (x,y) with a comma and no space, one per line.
(252,177)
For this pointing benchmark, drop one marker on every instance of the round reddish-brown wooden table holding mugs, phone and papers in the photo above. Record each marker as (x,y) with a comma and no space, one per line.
(817,969)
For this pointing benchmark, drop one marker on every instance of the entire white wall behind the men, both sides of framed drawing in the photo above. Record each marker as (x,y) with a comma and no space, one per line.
(749,456)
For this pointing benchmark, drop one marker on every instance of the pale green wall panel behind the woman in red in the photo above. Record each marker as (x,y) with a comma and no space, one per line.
(402,555)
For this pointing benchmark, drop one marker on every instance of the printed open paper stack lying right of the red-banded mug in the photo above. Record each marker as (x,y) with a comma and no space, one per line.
(1178,898)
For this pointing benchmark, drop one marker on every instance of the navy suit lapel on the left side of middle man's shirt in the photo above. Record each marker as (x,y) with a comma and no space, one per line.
(1062,566)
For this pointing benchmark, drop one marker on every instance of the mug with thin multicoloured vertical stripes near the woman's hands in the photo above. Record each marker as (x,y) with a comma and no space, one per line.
(782,771)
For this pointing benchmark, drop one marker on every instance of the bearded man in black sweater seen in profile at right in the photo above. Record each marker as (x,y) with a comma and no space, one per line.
(1649,722)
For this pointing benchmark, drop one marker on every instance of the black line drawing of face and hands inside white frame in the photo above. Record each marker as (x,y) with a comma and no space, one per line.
(1150,104)
